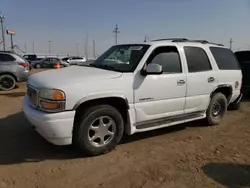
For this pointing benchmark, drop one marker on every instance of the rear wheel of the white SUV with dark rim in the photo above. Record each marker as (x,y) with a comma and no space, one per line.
(216,109)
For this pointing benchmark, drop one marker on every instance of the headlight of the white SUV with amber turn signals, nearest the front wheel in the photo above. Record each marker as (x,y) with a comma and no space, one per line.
(52,100)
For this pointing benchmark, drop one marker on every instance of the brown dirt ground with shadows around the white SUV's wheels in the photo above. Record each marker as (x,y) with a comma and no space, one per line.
(189,155)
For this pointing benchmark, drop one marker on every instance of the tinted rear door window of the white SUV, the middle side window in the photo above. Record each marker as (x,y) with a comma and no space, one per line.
(197,59)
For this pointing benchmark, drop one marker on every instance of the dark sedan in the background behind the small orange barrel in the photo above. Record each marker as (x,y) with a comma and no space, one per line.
(48,63)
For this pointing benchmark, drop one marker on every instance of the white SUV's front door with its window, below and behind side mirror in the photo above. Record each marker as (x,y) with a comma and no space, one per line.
(160,96)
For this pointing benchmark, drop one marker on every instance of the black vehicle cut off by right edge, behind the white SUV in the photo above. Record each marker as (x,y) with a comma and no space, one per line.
(244,60)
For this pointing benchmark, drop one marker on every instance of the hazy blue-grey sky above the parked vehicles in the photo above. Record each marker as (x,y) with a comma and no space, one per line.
(66,22)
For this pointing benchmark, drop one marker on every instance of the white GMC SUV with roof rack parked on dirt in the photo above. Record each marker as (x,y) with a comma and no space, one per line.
(133,88)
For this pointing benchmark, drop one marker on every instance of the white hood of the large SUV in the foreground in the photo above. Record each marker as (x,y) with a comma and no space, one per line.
(70,75)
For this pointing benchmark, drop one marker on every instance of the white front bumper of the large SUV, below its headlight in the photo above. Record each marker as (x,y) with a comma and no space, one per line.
(54,127)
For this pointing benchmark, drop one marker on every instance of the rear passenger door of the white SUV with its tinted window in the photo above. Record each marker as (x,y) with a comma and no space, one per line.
(201,79)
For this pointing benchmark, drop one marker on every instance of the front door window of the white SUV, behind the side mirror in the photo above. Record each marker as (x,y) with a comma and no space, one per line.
(168,58)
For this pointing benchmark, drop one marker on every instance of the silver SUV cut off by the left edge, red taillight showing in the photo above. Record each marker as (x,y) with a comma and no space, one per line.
(13,68)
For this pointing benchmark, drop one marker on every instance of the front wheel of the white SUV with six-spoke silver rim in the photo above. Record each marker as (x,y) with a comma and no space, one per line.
(84,131)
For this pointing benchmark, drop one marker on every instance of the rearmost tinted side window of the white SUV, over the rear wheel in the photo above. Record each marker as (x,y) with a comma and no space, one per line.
(225,58)
